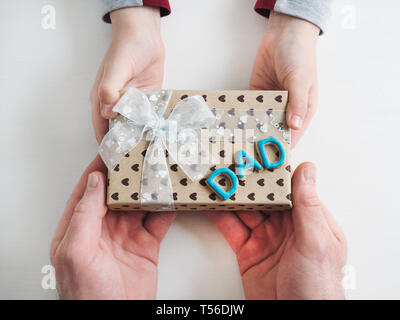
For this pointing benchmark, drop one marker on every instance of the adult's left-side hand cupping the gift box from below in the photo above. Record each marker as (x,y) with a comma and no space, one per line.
(101,254)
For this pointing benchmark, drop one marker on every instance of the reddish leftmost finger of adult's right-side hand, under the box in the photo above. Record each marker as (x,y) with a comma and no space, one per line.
(231,227)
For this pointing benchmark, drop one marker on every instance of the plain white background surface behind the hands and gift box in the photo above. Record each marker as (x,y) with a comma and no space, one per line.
(47,139)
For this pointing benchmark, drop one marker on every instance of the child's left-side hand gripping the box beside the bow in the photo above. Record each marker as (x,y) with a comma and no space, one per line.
(135,58)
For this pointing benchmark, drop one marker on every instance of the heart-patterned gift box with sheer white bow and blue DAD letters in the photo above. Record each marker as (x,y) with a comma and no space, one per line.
(237,123)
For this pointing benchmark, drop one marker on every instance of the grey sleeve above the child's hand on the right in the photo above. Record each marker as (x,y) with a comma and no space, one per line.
(317,12)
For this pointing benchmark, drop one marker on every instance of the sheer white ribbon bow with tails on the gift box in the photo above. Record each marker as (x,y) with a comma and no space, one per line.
(178,134)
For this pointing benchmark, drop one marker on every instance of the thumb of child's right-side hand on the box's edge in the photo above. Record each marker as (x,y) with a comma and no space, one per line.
(298,102)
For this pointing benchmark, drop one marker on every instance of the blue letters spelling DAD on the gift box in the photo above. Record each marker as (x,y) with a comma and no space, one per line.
(244,162)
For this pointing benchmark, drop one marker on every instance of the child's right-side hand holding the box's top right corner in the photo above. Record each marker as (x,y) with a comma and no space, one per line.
(286,61)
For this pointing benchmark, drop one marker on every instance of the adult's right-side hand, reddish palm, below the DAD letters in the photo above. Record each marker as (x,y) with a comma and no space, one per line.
(297,254)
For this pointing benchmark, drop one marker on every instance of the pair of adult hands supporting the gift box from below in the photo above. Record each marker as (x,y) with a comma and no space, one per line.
(102,254)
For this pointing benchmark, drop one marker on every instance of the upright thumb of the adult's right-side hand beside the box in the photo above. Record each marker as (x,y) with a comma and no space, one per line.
(309,222)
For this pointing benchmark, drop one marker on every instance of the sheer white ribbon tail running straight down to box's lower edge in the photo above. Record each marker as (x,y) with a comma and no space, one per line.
(156,186)
